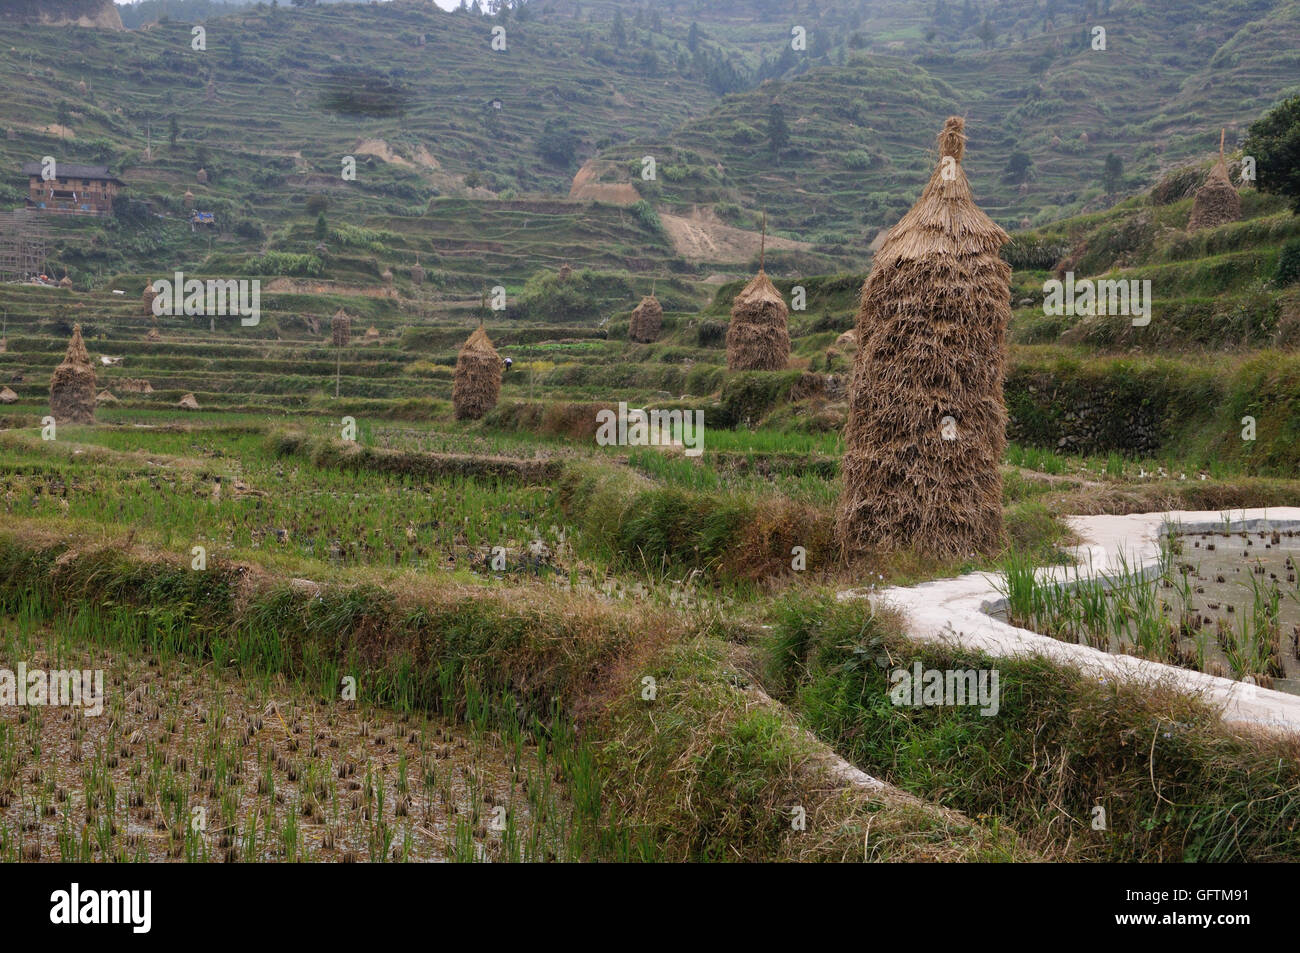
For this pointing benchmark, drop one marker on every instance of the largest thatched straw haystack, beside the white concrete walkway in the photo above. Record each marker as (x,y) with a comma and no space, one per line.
(928,422)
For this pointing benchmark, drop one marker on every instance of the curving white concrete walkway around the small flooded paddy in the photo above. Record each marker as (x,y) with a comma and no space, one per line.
(956,610)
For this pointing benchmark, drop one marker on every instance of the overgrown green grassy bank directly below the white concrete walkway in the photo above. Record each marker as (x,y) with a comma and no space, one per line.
(1216,796)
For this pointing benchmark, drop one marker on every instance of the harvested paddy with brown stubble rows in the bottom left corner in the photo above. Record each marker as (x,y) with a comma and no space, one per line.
(188,763)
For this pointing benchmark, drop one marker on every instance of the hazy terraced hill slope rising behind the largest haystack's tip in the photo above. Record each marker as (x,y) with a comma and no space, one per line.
(857,145)
